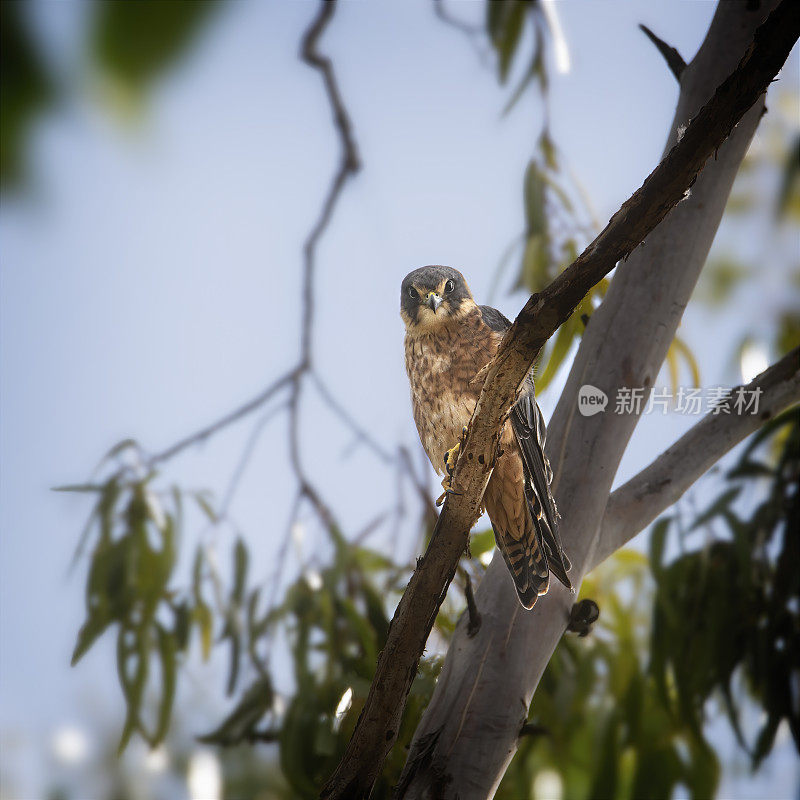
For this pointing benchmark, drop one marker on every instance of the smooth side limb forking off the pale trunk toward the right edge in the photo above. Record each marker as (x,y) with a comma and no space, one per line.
(633,506)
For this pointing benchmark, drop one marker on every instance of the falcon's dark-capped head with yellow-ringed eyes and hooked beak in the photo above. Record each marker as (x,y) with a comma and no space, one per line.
(431,296)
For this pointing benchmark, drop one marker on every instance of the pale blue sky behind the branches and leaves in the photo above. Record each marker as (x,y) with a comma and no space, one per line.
(150,276)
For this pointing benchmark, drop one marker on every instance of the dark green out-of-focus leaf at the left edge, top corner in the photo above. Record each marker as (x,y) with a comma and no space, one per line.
(25,88)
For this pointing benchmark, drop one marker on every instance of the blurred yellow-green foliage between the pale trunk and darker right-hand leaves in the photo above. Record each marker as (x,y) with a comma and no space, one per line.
(596,720)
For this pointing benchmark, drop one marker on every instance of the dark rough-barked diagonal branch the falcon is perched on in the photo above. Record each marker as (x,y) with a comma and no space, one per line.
(541,316)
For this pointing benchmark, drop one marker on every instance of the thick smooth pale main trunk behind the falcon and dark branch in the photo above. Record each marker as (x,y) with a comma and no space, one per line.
(469,731)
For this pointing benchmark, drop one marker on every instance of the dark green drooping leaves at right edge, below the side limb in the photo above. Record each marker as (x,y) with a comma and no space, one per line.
(730,611)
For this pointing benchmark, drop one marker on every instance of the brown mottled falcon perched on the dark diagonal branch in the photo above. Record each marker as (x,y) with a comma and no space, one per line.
(448,340)
